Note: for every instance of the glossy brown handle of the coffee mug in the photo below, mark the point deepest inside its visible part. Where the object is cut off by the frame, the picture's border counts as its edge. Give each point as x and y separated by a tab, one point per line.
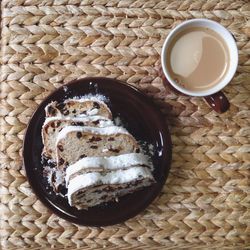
218	102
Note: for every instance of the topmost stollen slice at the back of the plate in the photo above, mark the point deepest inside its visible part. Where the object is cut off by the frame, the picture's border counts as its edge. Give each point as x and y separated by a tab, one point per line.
78	107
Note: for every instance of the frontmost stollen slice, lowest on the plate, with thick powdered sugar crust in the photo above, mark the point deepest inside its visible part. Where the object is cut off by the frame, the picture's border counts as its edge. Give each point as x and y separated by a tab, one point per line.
91	189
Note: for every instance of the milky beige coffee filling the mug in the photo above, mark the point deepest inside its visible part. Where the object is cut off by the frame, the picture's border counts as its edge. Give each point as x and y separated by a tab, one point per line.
198	58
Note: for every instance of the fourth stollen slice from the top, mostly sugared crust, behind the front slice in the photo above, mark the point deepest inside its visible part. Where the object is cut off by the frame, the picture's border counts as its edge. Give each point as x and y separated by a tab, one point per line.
106	164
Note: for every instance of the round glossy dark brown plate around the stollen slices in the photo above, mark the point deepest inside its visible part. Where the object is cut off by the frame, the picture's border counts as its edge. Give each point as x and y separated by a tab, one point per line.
143	121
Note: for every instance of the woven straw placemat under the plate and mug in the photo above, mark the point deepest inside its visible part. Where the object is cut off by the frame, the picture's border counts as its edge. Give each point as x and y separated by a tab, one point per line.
206	200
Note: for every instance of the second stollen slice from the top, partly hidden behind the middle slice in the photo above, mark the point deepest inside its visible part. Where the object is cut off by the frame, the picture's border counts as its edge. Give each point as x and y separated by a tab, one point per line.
53	125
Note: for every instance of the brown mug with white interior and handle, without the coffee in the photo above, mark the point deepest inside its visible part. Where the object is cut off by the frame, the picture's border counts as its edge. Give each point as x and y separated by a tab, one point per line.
214	96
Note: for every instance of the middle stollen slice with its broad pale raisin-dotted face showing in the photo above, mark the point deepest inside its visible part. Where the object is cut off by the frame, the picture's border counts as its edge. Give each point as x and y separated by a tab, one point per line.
74	143
